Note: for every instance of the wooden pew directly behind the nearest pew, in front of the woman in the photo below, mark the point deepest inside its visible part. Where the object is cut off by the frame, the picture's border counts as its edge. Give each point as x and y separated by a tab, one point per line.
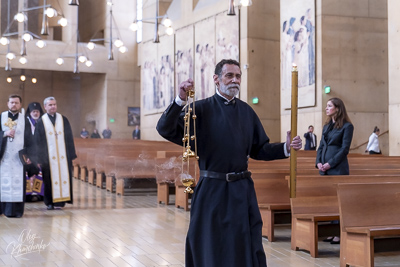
311	193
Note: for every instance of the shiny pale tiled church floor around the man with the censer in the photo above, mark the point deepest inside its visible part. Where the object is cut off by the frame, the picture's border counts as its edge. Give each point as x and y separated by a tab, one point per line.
102	229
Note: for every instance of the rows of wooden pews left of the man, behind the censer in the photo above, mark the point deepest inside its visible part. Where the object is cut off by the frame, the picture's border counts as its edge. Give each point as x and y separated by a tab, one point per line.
133	166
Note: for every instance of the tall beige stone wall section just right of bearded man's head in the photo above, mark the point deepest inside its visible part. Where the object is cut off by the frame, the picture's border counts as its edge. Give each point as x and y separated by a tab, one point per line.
260	50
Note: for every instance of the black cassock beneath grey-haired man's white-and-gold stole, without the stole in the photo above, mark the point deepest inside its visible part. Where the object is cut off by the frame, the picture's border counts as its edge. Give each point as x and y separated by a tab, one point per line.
43	157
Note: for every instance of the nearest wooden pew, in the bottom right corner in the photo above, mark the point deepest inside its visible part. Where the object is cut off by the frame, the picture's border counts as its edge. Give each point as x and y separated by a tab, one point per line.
367	211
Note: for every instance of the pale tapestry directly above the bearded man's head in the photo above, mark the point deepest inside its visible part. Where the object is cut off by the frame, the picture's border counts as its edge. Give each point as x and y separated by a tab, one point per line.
227	37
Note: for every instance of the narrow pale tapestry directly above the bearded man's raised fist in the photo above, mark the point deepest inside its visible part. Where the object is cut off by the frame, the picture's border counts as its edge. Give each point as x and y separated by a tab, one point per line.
184	55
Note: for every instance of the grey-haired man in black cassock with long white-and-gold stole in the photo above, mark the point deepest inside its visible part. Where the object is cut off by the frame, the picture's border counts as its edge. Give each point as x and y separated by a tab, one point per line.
55	151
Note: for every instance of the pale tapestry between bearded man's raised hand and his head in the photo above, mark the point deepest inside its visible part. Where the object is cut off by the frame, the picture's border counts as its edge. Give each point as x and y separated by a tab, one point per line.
204	58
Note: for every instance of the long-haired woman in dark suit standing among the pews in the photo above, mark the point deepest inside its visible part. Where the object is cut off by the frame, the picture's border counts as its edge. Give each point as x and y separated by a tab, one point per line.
335	145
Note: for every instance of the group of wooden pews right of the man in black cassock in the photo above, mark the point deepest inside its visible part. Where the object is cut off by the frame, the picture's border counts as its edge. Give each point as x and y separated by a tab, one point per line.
366	203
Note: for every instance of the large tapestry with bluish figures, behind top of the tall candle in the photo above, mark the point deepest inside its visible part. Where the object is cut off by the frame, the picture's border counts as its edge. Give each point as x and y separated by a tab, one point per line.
298	47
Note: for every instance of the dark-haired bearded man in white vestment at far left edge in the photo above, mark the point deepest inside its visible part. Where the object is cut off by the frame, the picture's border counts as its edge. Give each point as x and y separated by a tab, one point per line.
16	135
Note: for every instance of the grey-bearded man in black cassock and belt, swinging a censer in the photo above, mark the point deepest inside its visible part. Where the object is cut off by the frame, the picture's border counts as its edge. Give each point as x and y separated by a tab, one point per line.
225	223
